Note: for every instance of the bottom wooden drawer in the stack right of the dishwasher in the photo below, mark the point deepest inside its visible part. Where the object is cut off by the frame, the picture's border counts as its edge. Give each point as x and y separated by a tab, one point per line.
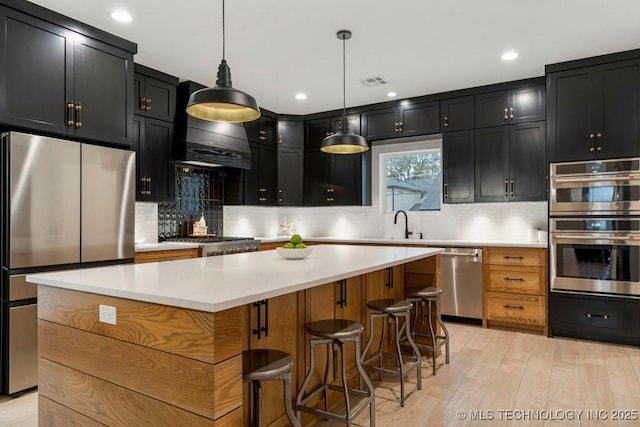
524	309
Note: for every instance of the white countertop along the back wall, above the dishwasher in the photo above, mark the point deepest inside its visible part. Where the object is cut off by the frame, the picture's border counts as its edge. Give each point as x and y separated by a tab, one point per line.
392	241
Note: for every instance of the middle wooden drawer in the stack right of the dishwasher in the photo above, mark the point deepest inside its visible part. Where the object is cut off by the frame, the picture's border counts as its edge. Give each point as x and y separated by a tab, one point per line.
525	280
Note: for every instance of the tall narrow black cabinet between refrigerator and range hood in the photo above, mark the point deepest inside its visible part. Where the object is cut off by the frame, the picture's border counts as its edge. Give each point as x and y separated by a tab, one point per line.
153	137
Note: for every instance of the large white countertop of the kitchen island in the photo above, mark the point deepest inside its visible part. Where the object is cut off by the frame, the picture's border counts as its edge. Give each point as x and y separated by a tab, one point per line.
217	283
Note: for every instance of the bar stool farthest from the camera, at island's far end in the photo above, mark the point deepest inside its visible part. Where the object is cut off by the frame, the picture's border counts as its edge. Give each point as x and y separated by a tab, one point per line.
427	296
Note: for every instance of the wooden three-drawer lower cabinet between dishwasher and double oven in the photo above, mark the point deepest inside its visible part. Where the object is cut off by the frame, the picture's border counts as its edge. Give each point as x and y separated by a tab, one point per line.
515	288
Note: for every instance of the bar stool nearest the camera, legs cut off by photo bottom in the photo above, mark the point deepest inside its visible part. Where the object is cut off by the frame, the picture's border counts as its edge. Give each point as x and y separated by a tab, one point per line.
266	365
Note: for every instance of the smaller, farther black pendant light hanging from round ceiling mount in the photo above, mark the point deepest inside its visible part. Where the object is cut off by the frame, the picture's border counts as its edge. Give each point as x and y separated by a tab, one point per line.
344	142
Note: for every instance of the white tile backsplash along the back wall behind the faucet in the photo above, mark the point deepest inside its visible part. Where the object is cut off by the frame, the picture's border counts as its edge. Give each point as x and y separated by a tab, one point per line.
475	221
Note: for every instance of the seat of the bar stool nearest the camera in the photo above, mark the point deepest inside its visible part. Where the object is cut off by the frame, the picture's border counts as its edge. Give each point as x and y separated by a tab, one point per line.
265	364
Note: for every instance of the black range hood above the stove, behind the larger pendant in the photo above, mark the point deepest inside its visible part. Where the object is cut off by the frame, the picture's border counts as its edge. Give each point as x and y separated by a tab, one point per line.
208	144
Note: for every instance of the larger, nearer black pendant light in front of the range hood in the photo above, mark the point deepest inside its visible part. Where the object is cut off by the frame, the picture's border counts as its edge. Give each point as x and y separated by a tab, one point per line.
223	103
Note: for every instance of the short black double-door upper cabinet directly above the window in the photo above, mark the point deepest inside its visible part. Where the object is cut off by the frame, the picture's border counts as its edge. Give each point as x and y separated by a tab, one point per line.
408	119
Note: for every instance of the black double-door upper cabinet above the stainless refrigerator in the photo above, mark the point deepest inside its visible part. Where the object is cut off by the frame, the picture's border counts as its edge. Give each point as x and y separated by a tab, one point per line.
59	80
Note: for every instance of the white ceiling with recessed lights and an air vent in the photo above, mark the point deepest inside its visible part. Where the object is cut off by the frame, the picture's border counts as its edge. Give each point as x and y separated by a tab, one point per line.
276	48
